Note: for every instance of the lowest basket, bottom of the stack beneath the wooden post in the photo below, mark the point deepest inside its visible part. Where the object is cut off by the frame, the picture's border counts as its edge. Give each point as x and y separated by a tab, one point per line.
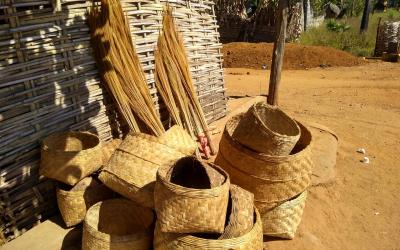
283	220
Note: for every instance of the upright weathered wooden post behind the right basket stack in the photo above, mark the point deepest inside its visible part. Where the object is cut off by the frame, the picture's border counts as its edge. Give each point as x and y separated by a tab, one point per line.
279	48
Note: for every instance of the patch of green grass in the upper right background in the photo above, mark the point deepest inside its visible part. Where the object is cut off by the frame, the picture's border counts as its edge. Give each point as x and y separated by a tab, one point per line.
345	35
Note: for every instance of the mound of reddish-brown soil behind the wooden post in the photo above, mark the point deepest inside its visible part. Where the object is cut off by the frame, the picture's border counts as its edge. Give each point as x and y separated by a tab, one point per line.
297	56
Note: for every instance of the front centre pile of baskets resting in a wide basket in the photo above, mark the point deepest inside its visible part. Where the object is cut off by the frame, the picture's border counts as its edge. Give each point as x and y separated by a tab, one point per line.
197	208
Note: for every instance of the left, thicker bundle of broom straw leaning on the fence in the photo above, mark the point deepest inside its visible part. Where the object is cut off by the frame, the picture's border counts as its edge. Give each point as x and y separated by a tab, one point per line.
120	66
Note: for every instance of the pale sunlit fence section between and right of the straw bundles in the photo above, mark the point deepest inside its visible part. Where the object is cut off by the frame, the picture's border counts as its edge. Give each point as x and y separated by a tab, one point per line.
197	23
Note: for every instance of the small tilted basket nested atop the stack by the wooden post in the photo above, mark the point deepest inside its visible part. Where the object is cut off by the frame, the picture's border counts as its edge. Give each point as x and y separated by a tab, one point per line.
267	129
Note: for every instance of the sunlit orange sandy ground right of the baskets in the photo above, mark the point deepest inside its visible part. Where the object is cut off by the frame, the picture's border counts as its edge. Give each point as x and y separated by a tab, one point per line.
360	210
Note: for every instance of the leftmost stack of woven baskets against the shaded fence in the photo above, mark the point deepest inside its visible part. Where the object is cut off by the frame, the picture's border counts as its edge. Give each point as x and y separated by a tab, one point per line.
72	158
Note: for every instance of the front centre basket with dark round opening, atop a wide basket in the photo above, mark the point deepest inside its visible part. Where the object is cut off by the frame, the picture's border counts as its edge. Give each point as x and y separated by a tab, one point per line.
191	197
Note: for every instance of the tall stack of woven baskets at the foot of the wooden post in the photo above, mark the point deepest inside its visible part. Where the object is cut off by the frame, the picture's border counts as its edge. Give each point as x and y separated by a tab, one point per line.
269	154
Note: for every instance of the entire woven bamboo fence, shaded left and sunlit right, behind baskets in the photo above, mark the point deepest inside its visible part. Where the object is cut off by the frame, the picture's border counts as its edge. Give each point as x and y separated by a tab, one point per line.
50	83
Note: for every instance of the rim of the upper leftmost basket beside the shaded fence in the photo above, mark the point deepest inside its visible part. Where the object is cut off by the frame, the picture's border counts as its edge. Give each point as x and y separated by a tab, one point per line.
46	144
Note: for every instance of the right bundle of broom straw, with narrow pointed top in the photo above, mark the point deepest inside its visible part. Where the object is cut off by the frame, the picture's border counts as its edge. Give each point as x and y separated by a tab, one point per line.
174	81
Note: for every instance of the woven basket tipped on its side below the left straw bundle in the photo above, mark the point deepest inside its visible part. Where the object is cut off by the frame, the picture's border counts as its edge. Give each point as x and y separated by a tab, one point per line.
132	168
